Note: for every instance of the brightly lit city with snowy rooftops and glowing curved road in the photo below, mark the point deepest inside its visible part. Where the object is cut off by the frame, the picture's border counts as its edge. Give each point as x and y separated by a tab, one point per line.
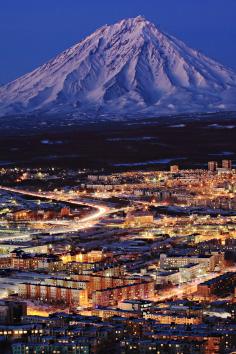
129	261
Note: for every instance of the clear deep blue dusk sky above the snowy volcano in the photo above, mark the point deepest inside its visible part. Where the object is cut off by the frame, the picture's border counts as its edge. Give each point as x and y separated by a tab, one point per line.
34	31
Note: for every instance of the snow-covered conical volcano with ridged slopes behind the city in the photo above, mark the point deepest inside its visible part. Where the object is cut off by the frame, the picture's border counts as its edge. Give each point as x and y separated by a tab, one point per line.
129	67
